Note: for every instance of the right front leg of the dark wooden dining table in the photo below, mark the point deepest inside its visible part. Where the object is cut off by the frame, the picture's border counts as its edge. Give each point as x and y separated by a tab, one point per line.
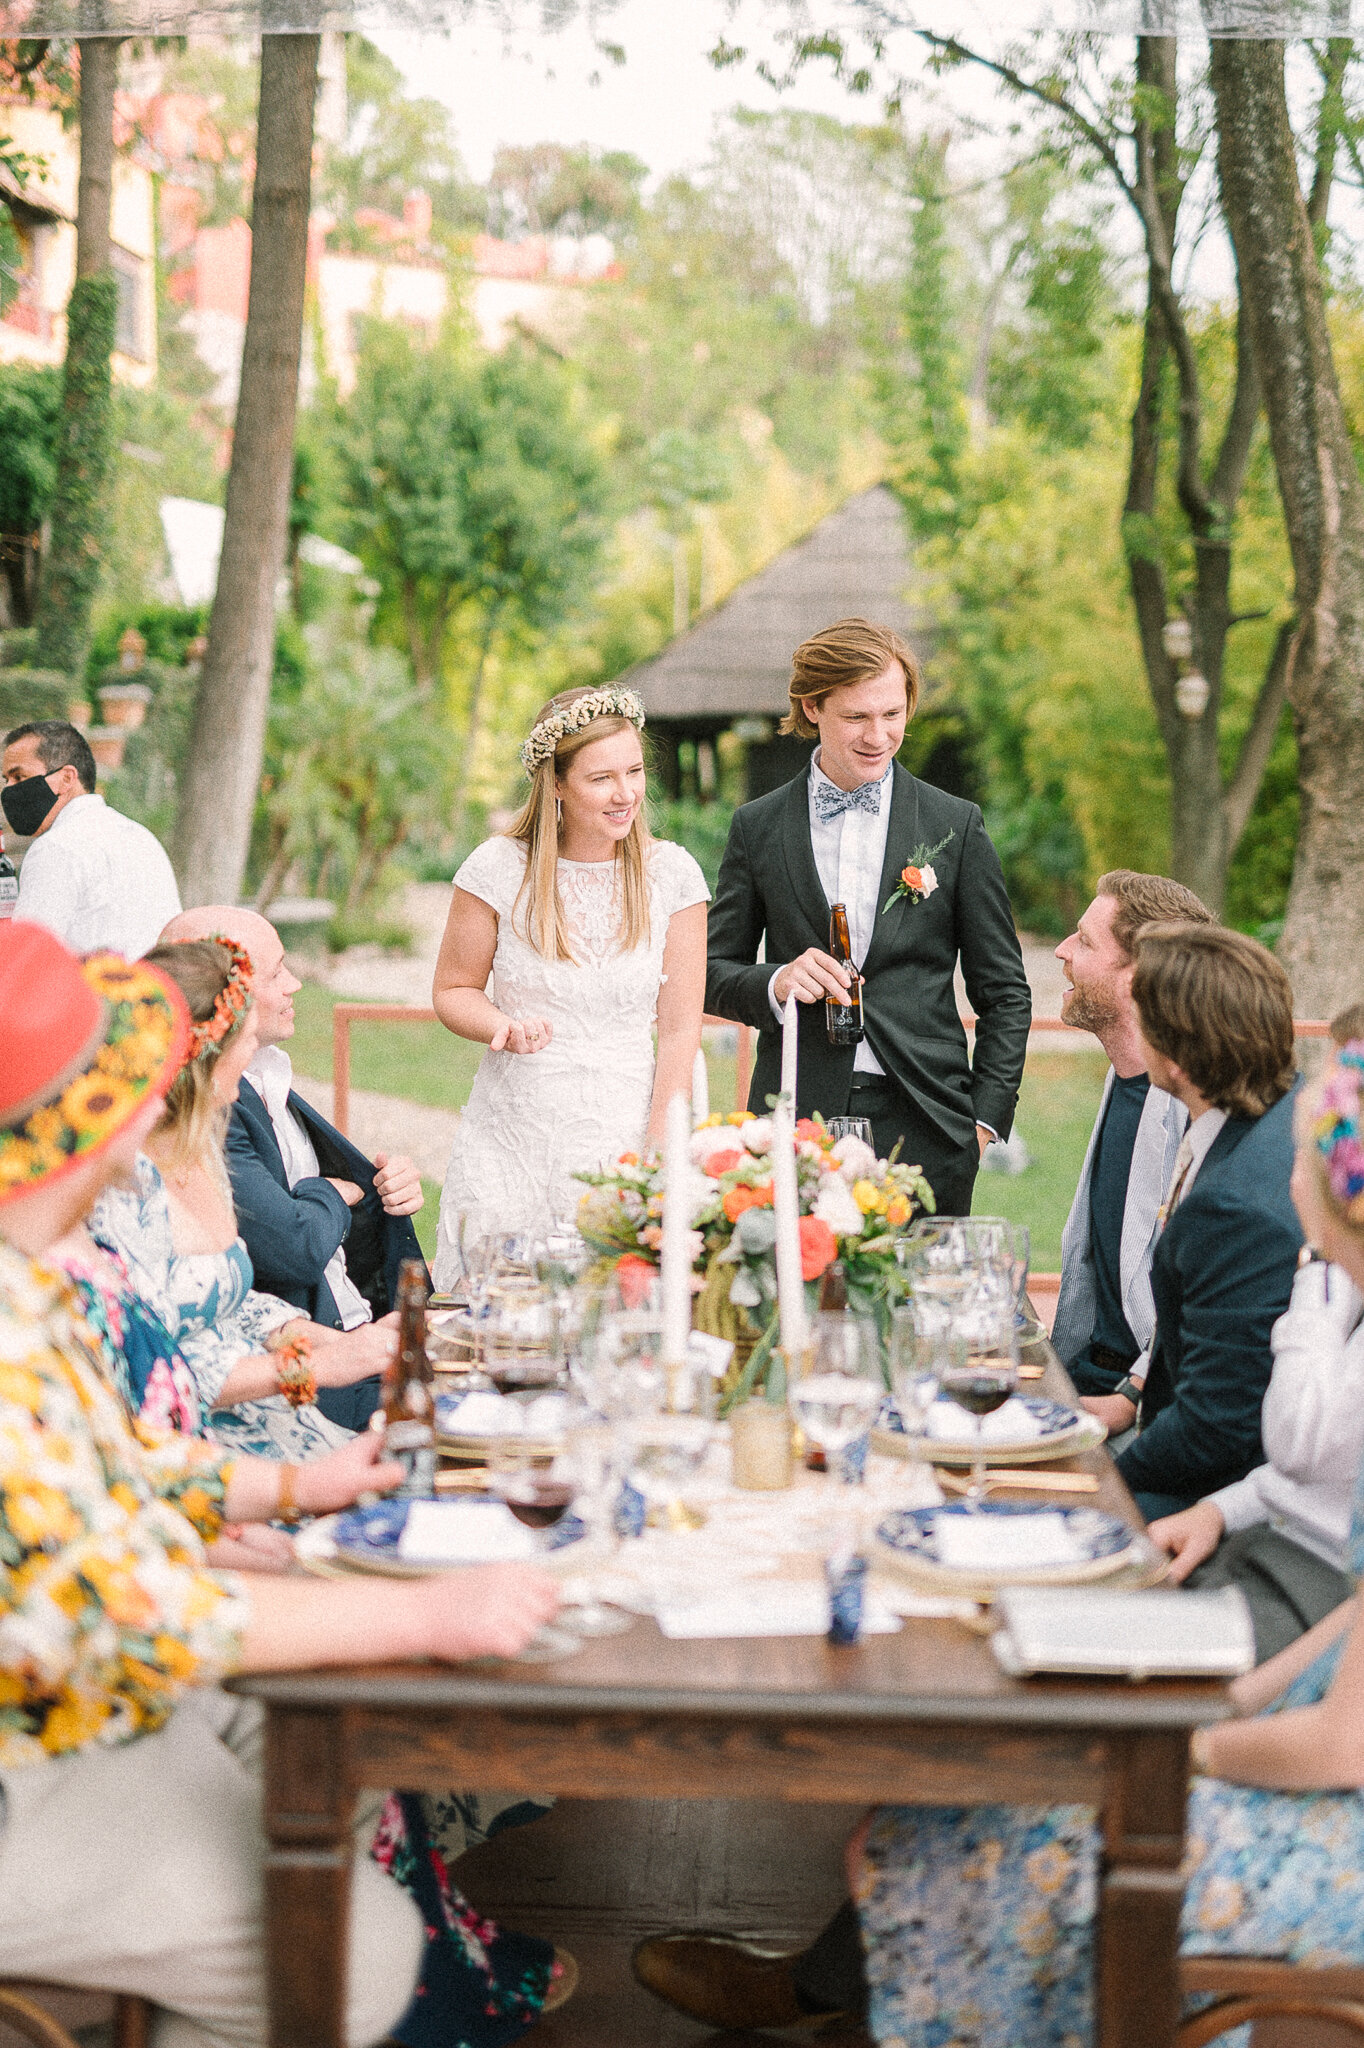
1138	1938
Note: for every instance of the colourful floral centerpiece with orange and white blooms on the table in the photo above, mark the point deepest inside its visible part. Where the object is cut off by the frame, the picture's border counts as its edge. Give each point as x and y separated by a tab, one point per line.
853	1209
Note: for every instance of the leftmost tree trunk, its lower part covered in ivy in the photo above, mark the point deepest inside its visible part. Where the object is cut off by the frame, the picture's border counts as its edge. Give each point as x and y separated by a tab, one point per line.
85	447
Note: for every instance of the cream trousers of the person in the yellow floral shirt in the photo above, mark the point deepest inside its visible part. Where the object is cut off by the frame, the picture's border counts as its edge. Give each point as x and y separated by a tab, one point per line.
138	1869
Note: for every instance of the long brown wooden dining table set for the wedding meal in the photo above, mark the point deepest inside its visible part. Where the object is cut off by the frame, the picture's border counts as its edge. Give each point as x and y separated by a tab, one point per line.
925	1717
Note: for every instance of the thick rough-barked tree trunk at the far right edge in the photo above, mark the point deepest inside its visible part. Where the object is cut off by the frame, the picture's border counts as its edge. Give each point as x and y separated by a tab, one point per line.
1324	511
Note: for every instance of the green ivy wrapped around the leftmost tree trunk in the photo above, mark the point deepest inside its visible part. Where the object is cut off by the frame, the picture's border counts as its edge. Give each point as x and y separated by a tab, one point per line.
81	497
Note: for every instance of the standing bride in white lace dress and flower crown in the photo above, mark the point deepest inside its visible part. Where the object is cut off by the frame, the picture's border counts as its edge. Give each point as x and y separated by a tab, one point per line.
593	935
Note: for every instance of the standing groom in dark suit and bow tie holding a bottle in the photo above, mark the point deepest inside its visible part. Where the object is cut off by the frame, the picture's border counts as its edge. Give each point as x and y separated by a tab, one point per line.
923	886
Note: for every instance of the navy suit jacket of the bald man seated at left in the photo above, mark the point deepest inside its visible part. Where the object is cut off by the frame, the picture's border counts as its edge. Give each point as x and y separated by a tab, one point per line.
294	1232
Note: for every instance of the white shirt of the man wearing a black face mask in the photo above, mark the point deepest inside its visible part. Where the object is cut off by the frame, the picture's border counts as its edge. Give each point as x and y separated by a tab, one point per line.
99	882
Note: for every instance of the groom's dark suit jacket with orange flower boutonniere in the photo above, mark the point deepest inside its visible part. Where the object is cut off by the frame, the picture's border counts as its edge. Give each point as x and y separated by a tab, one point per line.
769	884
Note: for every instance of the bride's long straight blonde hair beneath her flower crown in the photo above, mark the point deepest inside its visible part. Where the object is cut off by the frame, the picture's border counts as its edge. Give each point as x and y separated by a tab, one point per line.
538	912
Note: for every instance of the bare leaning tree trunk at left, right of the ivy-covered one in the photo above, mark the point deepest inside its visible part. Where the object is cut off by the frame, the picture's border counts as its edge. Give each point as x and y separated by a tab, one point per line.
218	790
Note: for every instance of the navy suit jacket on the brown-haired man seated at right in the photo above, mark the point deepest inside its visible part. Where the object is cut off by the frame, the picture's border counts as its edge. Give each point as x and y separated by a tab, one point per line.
1222	1277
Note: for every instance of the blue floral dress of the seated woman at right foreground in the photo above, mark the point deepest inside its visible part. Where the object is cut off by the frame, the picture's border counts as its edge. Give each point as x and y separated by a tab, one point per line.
980	1922
